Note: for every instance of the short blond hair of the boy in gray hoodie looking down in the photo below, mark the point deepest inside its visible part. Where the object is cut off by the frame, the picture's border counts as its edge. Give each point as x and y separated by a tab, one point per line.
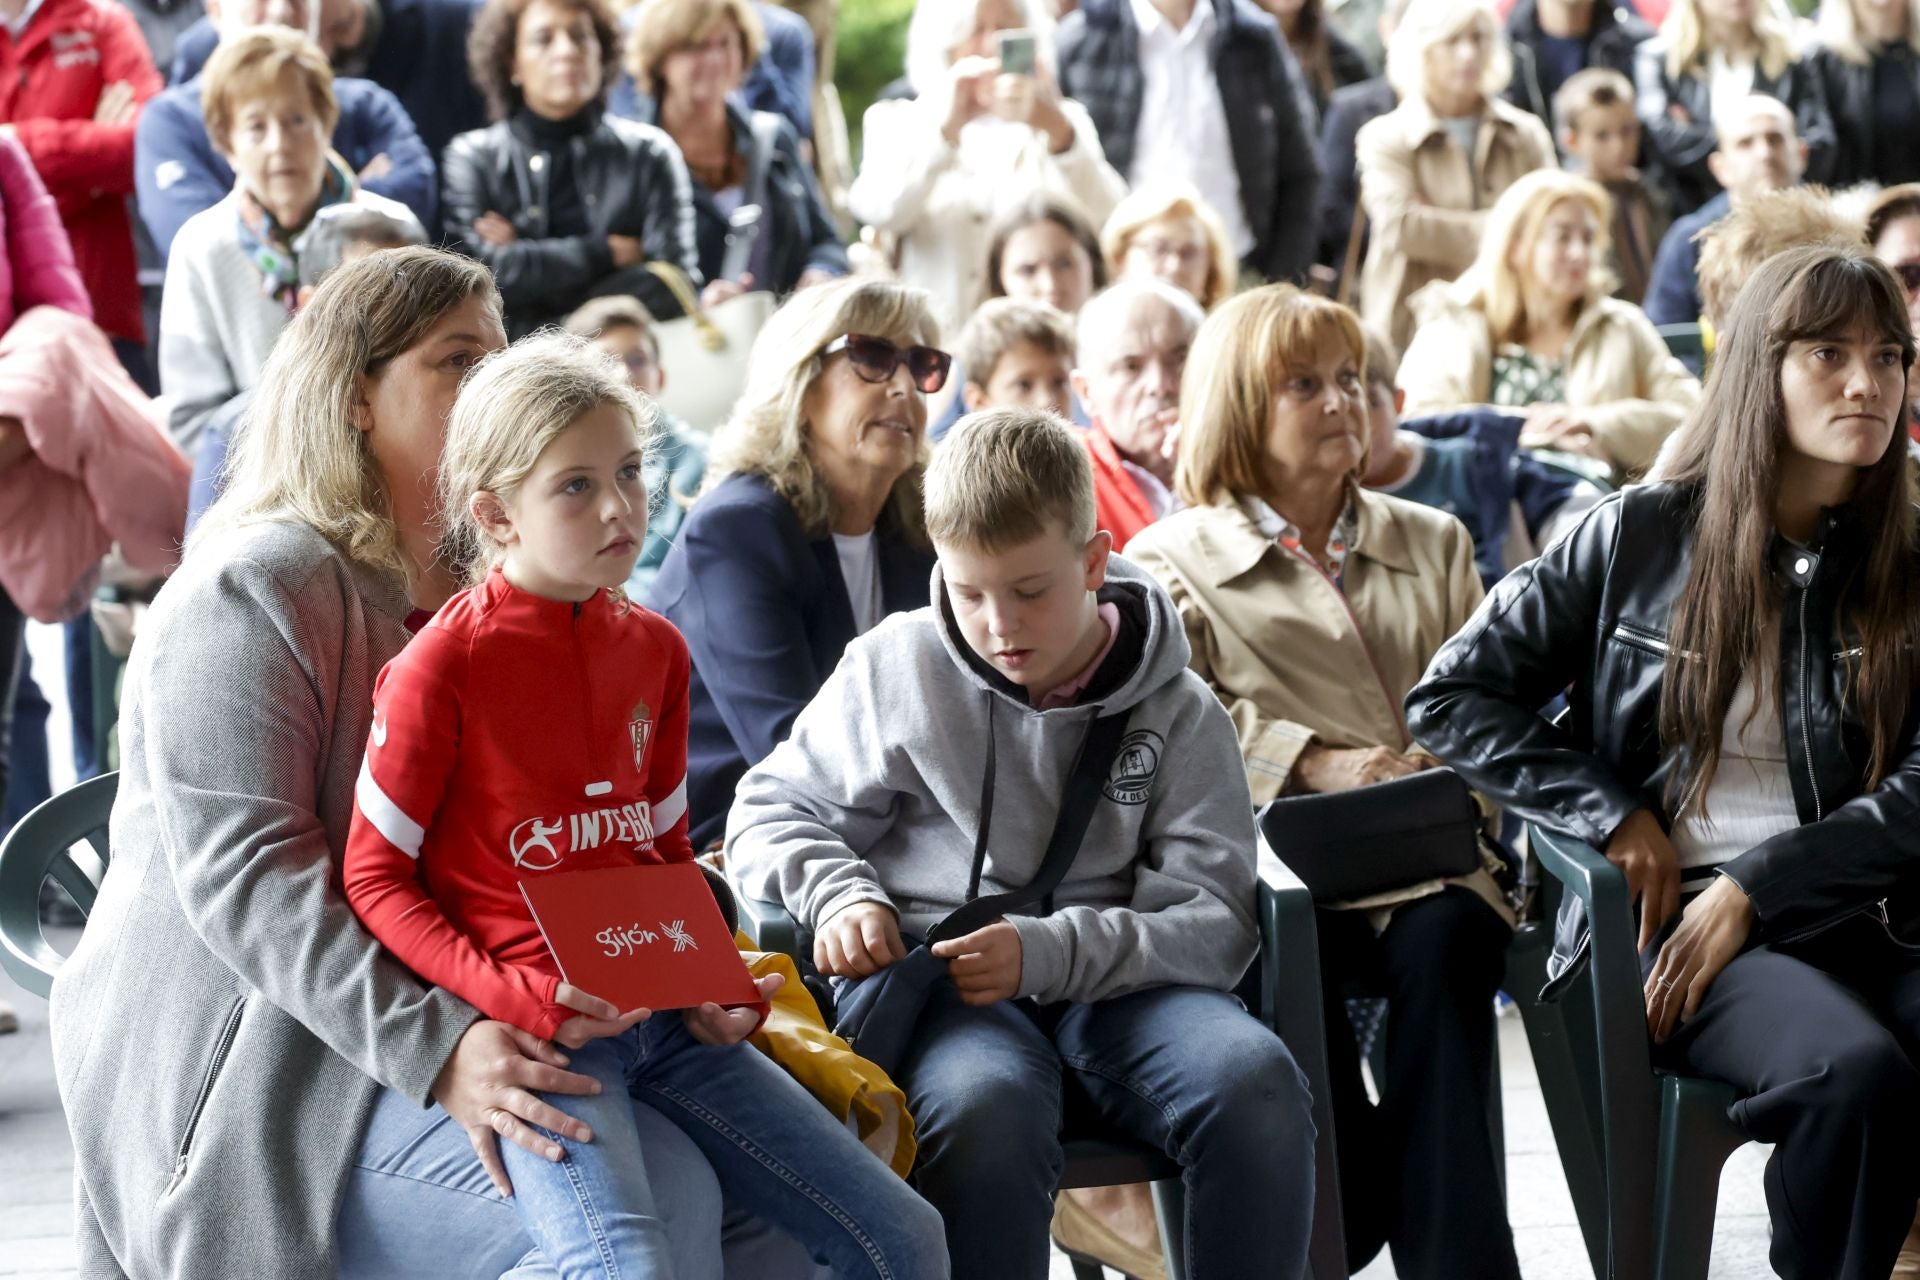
1003	475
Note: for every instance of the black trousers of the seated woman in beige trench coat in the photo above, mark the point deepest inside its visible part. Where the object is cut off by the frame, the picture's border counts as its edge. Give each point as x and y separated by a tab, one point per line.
1420	1172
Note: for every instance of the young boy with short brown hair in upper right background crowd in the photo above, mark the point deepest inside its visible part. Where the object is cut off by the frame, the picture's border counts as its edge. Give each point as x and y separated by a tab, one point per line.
1600	137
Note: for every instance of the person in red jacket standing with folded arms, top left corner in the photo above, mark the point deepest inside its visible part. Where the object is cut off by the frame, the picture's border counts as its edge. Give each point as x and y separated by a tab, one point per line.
74	76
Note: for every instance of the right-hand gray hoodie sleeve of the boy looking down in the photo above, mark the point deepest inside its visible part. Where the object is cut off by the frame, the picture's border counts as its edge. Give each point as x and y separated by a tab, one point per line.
1191	918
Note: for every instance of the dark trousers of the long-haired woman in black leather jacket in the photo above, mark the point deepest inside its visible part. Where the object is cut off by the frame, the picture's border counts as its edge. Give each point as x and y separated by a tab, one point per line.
1819	1039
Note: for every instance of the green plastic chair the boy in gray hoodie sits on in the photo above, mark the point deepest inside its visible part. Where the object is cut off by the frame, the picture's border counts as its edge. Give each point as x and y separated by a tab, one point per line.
1289	1003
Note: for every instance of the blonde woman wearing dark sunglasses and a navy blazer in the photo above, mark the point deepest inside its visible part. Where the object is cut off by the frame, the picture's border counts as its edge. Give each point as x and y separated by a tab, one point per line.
809	531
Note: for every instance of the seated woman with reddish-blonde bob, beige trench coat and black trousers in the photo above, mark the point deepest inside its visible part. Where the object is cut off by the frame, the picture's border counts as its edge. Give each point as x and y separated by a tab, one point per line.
1312	607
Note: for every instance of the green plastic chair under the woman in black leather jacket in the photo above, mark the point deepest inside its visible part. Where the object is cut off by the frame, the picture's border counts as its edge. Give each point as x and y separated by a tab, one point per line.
1643	1149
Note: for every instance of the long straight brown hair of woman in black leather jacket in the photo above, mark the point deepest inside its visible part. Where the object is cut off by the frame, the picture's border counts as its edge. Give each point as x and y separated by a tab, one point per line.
1729	454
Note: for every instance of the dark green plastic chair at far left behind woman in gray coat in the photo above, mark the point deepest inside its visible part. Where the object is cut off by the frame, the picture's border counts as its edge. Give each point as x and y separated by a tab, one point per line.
51	841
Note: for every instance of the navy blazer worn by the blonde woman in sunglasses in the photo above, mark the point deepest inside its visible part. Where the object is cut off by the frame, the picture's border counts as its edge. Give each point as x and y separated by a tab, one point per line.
767	619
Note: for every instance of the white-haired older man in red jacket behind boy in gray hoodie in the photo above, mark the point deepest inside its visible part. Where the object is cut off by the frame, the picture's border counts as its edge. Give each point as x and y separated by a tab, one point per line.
1132	352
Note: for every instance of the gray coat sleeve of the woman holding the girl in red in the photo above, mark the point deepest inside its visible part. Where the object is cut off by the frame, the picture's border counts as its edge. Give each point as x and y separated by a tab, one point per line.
235	765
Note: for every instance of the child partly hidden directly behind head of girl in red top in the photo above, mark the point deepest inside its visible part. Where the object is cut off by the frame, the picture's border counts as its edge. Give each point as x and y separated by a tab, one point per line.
677	463
